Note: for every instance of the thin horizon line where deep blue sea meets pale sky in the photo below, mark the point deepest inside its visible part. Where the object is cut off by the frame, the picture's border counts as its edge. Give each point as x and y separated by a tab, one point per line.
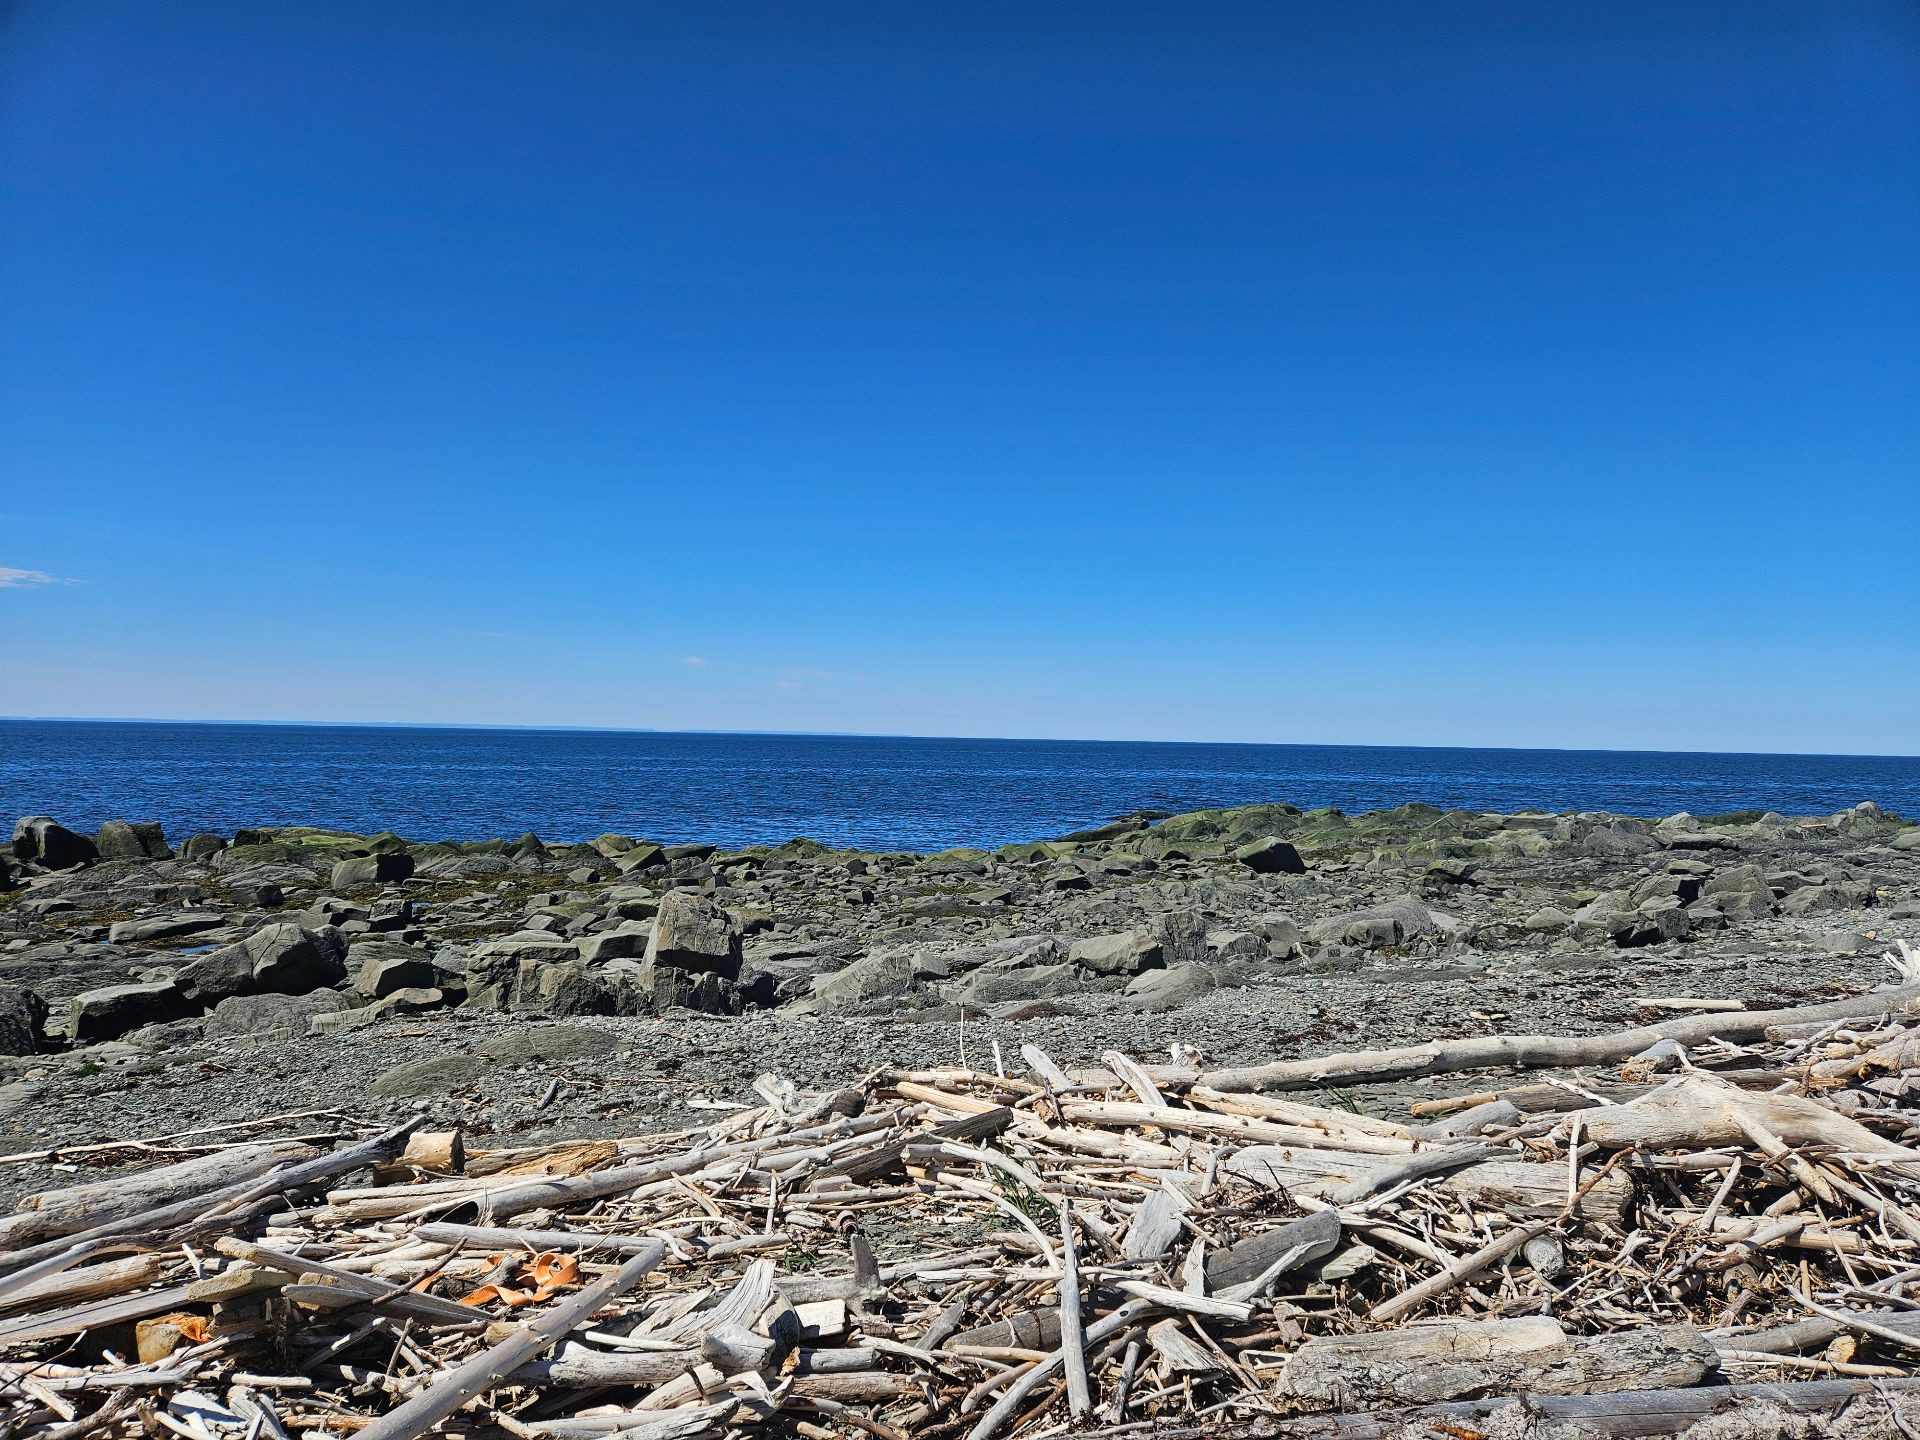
861	734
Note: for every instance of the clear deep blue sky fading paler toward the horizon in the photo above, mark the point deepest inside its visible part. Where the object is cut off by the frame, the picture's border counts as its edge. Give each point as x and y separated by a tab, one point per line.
1391	373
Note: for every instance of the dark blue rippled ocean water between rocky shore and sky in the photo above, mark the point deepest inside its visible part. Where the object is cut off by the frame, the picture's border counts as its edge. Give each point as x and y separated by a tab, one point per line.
846	790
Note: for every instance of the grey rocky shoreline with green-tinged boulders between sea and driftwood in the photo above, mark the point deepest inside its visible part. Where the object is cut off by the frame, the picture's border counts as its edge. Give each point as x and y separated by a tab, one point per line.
546	990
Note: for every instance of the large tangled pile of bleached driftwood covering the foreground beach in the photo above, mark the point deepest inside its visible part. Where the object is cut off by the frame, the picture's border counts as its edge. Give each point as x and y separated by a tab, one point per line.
1729	1209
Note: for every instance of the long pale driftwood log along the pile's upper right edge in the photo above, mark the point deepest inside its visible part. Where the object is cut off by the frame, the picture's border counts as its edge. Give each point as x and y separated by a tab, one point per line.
1541	1051
